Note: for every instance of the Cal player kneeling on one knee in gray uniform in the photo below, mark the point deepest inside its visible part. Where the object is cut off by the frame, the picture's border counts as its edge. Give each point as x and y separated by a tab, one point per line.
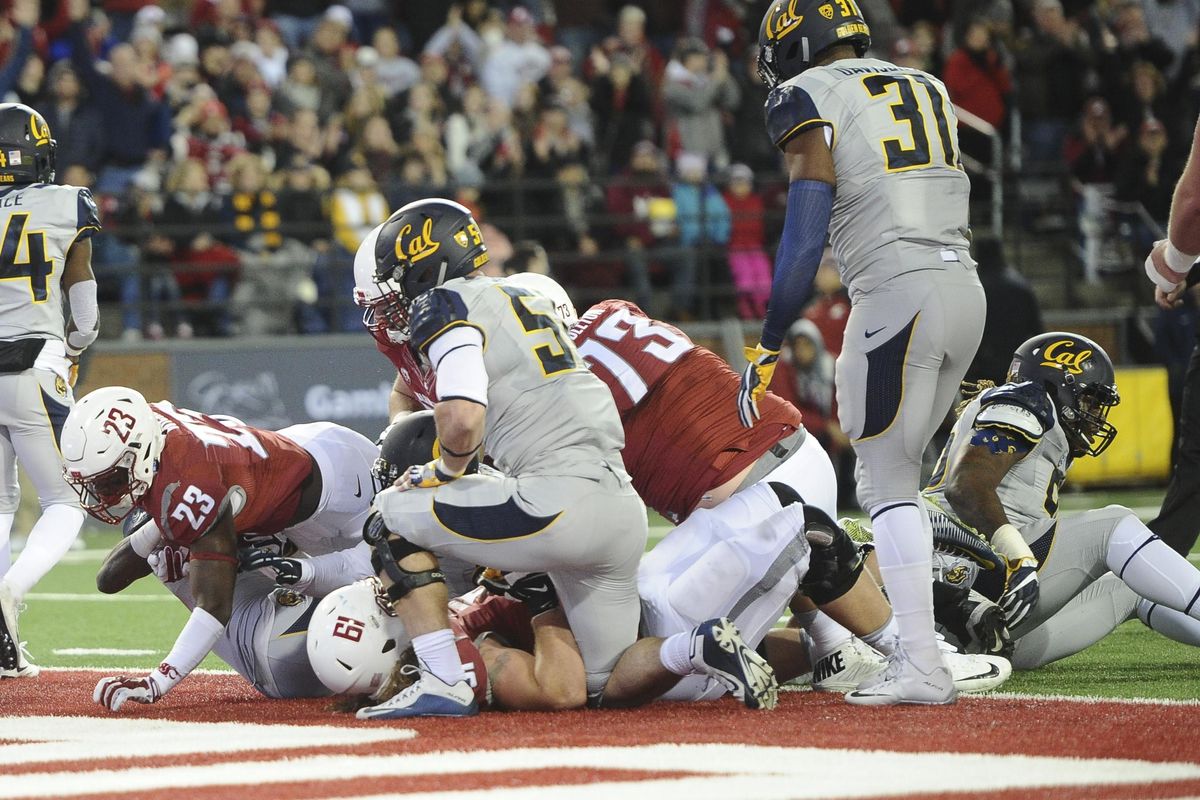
561	503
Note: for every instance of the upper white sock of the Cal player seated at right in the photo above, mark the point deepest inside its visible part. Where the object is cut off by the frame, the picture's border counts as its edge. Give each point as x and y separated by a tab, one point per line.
1153	569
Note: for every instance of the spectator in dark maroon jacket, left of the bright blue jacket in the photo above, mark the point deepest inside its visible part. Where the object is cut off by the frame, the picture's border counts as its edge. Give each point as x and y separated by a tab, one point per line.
645	220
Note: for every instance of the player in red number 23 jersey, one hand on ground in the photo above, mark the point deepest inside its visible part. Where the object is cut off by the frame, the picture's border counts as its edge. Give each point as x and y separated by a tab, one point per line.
212	483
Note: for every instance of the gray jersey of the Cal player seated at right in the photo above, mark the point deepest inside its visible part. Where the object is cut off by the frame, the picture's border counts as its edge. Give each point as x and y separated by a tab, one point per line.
1030	490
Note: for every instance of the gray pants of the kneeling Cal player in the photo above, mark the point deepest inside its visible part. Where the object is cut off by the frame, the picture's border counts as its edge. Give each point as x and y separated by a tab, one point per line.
587	533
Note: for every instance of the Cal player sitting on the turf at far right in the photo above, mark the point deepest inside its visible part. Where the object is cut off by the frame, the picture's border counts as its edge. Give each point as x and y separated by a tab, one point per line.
1069	580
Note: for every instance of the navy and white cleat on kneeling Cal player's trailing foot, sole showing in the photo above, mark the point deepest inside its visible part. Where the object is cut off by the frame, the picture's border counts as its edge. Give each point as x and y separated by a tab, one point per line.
718	652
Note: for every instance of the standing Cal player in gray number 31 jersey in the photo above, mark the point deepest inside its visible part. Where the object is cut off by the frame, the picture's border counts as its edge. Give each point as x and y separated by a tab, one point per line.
872	154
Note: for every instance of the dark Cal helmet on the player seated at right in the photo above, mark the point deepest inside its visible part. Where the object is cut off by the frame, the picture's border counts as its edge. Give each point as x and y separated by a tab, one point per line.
1078	375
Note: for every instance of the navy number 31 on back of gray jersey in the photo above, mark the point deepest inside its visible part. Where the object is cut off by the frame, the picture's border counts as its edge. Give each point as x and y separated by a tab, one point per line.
908	111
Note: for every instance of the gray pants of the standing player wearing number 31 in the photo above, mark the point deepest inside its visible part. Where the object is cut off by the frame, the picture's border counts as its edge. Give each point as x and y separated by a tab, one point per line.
908	346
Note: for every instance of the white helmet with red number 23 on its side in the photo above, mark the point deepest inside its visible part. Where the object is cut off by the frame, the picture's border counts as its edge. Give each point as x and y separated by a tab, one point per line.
111	447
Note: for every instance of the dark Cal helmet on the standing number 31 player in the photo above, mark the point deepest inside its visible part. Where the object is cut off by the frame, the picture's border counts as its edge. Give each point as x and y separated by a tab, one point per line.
795	34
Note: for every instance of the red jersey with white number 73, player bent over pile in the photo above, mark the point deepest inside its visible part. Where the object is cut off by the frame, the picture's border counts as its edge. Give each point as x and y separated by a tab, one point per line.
677	402
